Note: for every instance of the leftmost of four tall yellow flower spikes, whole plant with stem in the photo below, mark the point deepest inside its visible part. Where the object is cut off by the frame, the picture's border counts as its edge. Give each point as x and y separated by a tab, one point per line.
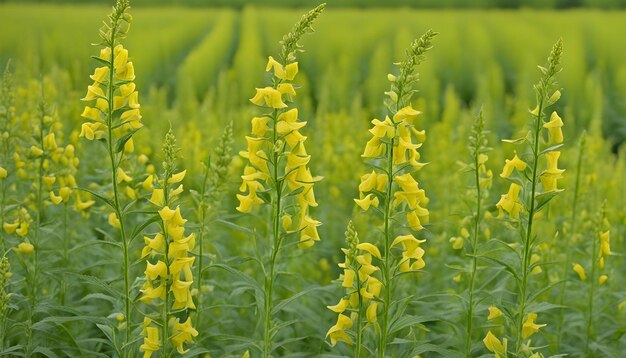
113	116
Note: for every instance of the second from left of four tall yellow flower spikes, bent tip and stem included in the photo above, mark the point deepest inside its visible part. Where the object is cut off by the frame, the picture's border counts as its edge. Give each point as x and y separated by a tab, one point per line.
277	169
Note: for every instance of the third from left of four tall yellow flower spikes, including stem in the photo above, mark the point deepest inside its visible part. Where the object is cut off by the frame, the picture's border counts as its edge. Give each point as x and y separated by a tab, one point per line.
394	157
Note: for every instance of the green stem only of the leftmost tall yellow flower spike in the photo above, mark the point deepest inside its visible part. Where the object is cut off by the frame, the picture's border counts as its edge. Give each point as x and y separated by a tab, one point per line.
116	198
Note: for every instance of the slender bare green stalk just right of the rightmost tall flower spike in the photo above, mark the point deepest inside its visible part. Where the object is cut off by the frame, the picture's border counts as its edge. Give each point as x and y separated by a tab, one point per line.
572	232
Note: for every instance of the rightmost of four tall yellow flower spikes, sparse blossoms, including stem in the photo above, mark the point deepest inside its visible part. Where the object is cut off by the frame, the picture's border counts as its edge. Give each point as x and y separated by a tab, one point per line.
531	190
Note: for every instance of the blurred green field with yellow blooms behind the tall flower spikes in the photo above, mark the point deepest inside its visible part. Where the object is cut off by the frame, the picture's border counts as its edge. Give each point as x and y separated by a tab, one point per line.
197	68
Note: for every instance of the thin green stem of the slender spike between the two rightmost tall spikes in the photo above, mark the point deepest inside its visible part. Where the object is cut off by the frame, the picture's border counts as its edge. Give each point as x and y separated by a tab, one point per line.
470	312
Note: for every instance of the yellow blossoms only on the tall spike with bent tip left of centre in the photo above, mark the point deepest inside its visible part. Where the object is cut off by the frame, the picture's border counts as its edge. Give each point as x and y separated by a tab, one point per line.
276	154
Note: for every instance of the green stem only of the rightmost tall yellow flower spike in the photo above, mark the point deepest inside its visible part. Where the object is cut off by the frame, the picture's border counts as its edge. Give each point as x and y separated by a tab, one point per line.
527	240
